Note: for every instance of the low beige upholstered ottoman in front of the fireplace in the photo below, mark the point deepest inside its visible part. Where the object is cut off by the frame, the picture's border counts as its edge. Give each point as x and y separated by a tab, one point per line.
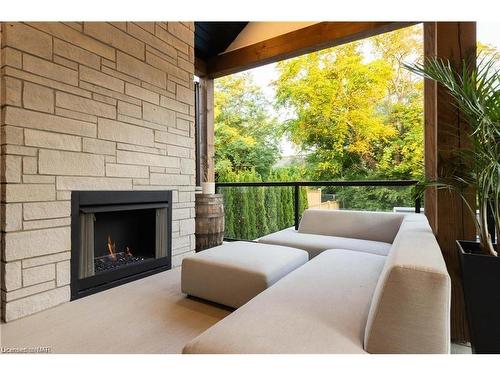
235	272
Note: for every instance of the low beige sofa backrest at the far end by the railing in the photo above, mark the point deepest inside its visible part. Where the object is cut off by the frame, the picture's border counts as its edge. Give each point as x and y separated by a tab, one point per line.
363	225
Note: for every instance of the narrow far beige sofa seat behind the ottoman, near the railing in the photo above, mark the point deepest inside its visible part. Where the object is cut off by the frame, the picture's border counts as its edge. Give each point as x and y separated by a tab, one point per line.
316	243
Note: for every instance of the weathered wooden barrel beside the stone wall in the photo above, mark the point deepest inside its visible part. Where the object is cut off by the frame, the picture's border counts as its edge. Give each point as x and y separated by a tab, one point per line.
209	220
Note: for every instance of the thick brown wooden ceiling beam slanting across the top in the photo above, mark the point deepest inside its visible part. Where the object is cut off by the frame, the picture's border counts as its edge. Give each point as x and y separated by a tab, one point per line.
308	39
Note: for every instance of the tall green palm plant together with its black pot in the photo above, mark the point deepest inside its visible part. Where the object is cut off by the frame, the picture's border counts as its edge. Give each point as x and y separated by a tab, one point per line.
475	92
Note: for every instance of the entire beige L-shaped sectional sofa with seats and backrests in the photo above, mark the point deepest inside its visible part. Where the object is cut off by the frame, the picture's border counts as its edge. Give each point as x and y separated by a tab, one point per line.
356	299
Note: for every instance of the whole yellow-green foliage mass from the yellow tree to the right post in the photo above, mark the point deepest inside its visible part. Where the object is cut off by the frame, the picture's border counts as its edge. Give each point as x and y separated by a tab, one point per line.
356	118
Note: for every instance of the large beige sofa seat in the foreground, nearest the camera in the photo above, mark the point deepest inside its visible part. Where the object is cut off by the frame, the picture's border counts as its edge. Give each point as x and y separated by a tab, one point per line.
321	307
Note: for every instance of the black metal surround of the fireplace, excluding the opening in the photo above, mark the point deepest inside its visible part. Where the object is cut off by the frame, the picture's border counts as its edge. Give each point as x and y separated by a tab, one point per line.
126	199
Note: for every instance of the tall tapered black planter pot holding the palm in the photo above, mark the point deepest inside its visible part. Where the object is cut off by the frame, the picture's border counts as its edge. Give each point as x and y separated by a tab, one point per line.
481	278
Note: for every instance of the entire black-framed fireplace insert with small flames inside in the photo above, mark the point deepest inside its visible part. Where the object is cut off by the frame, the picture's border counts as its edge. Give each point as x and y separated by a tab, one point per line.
117	237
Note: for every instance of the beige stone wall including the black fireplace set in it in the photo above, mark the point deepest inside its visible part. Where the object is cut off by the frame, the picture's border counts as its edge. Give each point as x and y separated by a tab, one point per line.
92	107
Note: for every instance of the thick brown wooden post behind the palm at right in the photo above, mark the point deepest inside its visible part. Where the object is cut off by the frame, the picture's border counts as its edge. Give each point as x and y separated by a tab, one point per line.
444	134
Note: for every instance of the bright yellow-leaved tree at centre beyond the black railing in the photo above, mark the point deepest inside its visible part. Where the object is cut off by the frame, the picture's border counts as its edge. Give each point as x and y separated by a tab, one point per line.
333	96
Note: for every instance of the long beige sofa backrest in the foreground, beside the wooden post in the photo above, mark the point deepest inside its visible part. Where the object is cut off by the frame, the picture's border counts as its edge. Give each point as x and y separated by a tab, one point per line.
410	308
